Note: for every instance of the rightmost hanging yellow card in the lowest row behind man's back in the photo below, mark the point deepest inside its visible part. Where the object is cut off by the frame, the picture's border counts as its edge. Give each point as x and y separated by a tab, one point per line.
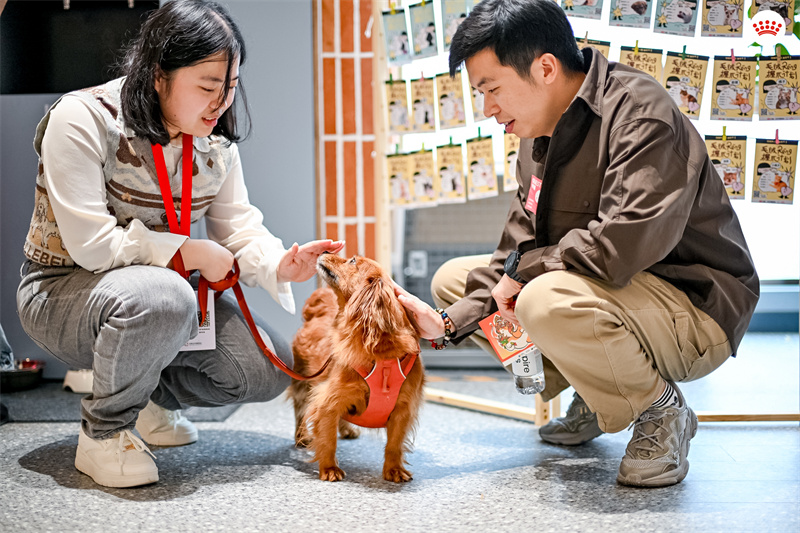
773	177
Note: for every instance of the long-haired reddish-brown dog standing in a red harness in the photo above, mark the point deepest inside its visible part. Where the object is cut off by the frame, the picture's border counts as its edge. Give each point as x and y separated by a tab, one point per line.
357	321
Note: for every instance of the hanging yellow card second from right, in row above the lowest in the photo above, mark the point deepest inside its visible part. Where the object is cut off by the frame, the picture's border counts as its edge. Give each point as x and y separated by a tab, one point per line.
734	88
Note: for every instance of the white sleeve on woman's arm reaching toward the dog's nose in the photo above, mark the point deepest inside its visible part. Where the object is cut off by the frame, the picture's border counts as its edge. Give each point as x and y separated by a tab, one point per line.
236	224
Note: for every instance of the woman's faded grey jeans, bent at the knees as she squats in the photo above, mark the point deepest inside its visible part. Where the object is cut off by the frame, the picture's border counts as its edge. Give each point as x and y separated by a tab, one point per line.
127	325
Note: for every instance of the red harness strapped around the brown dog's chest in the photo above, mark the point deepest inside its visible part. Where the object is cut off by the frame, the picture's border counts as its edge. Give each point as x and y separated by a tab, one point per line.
384	380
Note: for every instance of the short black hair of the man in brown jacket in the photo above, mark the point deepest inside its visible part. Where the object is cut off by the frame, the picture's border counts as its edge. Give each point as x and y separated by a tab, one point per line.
518	31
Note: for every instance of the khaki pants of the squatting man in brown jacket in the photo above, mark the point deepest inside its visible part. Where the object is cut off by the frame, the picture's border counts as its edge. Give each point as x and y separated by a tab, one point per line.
613	345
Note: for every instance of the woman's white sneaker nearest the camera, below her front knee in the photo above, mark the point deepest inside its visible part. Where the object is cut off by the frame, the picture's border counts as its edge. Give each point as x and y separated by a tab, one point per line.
121	461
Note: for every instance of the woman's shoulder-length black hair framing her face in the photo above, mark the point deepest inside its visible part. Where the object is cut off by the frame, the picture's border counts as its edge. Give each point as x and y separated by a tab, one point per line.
180	33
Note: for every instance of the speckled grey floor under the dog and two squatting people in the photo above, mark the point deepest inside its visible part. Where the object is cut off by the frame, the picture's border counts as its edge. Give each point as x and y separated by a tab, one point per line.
472	472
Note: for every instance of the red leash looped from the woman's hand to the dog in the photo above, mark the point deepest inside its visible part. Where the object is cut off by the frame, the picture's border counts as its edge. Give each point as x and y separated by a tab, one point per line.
232	281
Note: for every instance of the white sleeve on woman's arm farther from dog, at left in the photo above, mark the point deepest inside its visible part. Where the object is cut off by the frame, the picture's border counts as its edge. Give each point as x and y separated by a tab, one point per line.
73	154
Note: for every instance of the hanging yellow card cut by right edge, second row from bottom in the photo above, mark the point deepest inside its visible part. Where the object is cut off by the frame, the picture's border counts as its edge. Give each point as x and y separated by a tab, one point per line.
779	83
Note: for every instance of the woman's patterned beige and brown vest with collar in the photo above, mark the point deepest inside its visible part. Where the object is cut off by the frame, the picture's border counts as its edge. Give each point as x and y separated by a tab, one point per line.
132	190
